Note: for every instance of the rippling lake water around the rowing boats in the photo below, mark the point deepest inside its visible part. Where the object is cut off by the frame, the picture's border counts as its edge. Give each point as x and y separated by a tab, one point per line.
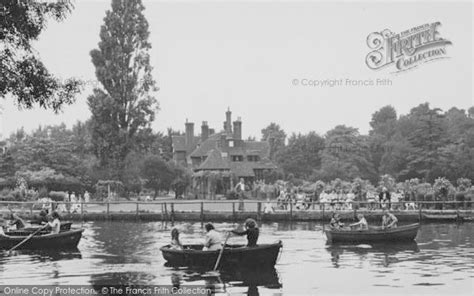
440	262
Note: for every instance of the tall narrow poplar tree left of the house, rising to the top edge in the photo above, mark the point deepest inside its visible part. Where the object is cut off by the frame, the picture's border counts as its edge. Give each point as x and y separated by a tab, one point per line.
123	108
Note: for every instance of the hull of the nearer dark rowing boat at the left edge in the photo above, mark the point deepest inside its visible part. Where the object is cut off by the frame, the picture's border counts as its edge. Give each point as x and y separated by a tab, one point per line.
63	240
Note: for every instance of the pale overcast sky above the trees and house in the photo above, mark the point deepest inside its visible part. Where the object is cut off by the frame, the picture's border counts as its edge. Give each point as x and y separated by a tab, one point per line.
208	56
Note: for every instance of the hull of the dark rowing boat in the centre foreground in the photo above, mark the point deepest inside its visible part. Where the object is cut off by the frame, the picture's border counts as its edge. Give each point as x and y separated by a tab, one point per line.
233	256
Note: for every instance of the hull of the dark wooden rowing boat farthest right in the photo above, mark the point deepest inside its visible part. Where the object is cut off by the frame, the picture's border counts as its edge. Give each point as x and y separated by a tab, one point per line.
374	235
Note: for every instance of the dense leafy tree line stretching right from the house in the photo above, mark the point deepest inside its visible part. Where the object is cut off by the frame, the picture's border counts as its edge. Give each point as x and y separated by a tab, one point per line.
426	143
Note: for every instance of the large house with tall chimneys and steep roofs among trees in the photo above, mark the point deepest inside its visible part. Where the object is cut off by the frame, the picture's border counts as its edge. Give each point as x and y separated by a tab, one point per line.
224	151
